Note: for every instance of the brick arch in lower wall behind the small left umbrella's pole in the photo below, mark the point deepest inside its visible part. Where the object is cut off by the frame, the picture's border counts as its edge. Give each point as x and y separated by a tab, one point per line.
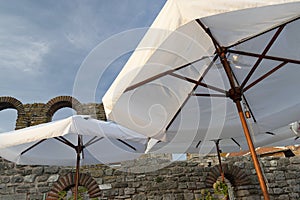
67	182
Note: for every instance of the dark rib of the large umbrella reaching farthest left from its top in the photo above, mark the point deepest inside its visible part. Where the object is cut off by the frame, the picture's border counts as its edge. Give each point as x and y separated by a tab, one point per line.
161	75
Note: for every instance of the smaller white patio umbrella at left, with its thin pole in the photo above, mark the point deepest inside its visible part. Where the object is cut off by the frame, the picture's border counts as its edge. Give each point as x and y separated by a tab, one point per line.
78	140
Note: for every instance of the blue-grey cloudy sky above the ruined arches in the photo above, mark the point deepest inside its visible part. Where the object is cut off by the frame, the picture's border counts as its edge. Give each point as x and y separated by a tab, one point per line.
45	46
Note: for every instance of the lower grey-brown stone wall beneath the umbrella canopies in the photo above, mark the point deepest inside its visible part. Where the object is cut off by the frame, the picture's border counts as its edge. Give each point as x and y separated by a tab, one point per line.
156	179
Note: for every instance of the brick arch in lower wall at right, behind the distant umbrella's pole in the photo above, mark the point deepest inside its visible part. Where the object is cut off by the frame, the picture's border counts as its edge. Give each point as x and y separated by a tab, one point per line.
235	175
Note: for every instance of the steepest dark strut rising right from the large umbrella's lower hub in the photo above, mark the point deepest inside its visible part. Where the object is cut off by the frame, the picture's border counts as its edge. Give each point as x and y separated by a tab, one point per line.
258	61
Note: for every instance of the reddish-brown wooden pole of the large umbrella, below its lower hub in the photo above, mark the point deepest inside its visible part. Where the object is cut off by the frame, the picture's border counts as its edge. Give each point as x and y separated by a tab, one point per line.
252	151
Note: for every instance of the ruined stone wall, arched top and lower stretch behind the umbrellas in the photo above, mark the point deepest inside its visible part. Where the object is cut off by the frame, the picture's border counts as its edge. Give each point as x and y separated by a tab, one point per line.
151	177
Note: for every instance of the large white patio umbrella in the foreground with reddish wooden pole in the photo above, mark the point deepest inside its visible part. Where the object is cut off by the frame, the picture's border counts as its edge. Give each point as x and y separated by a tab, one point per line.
203	63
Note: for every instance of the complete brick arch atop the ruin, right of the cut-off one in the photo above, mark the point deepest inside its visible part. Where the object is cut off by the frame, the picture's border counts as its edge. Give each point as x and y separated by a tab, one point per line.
62	102
